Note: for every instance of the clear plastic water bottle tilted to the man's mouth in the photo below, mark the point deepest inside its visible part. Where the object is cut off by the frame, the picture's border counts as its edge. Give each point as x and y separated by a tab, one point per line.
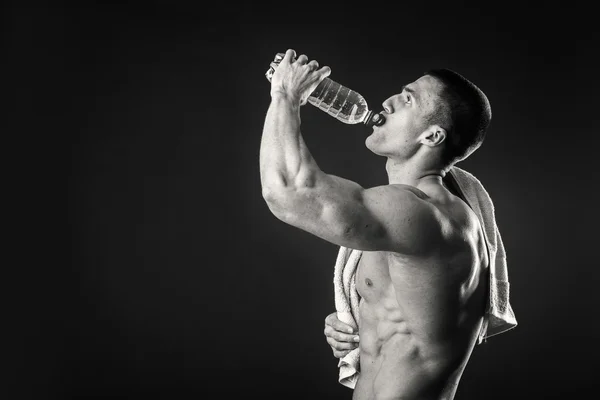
337	100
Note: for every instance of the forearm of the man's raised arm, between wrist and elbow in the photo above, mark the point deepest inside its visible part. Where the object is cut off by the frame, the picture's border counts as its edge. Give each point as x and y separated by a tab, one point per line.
285	161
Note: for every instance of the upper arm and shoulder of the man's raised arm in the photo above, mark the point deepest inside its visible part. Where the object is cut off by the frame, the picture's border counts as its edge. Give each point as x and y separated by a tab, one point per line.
383	218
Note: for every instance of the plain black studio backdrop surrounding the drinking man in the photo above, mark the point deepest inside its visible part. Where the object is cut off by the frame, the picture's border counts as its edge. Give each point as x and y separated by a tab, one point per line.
180	284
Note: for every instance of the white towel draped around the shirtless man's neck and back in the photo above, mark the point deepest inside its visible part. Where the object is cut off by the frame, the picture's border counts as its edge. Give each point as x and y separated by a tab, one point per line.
499	314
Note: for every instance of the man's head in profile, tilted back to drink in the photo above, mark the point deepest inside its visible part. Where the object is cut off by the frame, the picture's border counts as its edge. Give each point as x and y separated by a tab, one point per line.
441	111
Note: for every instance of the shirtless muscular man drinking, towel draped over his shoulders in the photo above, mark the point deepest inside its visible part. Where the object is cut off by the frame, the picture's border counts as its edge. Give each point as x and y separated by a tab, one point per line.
423	273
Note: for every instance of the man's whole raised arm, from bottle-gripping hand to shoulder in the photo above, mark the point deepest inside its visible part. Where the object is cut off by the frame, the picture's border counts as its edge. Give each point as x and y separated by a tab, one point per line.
389	218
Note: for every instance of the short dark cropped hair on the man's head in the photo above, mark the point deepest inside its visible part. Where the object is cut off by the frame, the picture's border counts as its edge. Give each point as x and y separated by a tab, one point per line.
464	112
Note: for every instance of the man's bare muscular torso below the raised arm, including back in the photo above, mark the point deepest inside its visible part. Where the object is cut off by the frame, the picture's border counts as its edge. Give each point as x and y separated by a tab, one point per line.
420	314
